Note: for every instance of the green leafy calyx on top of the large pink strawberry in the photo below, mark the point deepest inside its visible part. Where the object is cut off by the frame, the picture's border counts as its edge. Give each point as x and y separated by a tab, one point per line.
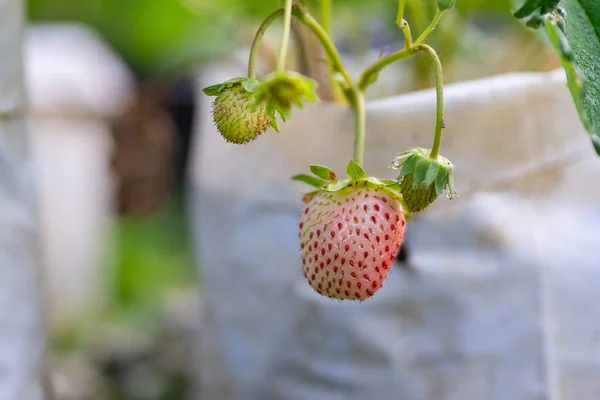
323	178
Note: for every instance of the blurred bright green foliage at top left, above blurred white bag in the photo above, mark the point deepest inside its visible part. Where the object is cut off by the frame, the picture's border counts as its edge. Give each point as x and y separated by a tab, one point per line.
159	37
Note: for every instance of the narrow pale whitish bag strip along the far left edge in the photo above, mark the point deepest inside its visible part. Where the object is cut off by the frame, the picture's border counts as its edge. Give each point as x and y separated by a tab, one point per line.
21	327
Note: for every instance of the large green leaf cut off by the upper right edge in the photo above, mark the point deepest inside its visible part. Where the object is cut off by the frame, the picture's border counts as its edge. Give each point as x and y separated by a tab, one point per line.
583	33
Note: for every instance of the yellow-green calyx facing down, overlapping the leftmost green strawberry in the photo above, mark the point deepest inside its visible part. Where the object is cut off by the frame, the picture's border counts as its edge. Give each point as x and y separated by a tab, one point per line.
280	91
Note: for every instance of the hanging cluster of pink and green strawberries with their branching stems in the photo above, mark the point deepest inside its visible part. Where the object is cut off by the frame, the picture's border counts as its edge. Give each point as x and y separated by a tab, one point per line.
350	229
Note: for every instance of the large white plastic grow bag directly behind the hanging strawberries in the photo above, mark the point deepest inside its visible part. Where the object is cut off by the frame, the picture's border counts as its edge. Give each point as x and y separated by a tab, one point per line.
500	302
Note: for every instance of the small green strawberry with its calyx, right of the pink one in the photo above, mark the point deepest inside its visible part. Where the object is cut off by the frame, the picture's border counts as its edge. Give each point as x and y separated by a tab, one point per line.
422	179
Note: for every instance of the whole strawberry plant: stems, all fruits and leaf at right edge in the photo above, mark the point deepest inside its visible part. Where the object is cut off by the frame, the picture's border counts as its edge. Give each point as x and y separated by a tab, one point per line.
351	229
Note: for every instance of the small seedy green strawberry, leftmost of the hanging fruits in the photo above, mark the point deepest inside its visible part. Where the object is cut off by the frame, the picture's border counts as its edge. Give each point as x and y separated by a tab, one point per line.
236	115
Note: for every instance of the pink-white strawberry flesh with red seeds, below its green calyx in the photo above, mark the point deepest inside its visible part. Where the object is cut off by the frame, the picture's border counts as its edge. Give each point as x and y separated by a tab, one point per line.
349	240
